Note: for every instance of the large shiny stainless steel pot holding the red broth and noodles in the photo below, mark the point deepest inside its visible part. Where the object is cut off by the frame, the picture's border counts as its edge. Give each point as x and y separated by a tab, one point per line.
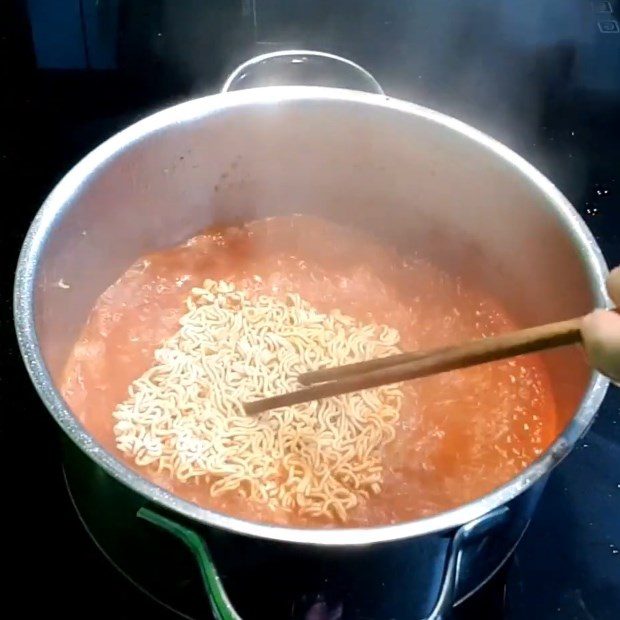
422	180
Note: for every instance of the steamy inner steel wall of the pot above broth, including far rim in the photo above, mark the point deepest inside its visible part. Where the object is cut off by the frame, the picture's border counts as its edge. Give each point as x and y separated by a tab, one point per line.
420	180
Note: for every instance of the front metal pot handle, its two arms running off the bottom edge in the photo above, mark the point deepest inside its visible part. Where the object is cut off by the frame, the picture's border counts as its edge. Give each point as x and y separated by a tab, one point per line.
223	609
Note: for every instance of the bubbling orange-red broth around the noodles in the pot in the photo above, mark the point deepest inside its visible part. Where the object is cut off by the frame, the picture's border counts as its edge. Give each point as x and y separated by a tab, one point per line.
460	434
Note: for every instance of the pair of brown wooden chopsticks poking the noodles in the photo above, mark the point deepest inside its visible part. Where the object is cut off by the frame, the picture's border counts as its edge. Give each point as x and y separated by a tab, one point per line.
406	366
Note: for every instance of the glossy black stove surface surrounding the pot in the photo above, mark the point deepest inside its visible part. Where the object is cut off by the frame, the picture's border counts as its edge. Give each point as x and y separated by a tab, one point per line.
543	76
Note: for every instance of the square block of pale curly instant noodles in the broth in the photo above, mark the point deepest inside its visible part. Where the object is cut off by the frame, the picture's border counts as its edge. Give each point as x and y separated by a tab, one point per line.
184	415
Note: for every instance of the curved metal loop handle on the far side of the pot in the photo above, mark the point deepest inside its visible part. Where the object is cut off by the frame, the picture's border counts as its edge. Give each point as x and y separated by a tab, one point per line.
305	58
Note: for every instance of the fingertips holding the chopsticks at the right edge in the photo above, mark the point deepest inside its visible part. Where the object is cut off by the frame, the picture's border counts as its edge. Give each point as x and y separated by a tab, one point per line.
601	334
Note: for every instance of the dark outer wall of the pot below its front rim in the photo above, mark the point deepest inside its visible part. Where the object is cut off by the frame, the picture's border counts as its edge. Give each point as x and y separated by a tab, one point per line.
398	579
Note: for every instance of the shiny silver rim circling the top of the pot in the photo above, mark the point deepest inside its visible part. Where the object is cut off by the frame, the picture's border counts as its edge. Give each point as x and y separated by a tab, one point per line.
59	199
